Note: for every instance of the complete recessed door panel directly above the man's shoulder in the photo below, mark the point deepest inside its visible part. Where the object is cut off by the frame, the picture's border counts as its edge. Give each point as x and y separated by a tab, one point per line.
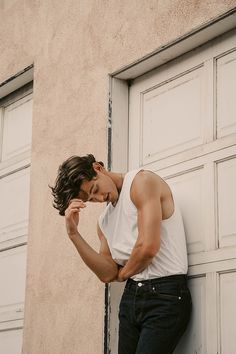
177	107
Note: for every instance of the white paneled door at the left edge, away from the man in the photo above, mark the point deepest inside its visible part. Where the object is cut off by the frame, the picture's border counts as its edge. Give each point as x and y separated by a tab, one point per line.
15	147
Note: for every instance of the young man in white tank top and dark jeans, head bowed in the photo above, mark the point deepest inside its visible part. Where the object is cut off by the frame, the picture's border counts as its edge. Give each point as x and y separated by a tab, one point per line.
142	241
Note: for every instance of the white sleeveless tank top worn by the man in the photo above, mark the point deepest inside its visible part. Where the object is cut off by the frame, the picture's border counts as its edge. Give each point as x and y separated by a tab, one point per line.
119	225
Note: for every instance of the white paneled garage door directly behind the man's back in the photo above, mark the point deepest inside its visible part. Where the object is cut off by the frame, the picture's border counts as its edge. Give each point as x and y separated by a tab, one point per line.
182	125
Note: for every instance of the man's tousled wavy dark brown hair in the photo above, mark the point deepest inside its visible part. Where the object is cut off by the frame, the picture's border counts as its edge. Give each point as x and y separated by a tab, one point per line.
70	176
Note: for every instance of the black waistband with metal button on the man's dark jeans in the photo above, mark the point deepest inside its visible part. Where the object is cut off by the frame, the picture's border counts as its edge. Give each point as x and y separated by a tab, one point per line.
176	278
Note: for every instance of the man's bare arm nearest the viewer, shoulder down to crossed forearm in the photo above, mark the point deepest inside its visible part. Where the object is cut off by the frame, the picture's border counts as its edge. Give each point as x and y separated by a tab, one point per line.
146	195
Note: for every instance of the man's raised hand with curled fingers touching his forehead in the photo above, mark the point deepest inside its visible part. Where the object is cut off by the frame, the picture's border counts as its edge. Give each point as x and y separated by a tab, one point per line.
72	216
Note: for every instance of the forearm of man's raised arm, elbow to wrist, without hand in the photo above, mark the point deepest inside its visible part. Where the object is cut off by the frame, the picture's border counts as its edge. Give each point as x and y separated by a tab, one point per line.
105	269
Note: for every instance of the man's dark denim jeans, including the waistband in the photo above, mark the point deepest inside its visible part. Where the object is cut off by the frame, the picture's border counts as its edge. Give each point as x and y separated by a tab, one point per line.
153	315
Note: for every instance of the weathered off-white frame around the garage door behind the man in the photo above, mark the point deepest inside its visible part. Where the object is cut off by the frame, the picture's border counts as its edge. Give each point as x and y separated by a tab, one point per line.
118	112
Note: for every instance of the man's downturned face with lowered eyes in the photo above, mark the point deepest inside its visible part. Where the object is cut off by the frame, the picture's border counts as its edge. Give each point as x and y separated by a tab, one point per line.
100	189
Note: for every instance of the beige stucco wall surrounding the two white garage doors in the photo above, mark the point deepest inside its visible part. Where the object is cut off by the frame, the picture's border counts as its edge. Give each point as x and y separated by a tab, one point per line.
73	45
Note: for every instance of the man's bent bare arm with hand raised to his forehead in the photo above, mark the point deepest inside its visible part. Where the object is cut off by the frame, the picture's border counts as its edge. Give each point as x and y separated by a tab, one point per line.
100	263
